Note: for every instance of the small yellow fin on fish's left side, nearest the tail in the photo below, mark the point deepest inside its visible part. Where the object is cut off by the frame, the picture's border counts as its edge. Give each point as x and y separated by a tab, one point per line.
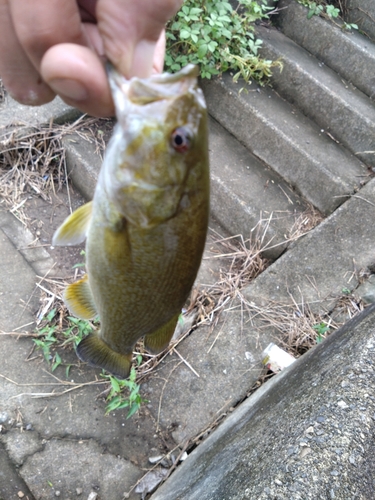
79	300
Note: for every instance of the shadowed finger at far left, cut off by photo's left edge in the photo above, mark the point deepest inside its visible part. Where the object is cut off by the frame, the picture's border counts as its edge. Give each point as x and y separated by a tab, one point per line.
19	76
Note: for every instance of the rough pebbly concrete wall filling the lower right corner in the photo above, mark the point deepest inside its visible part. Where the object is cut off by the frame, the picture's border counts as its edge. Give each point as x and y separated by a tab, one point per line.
306	434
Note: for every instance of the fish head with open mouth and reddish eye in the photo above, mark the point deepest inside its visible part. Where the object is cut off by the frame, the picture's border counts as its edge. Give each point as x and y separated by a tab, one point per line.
159	142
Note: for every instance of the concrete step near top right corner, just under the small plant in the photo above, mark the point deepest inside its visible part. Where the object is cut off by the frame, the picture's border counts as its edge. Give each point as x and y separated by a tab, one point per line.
350	54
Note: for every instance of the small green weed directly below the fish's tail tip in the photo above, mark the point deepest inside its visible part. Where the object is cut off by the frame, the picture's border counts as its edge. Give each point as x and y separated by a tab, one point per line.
116	398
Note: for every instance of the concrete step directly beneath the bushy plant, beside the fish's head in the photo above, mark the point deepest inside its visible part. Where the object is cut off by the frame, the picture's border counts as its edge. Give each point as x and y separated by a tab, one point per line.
283	138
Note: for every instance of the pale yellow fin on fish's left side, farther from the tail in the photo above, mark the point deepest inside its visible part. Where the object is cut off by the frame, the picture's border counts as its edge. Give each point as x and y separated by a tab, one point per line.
74	229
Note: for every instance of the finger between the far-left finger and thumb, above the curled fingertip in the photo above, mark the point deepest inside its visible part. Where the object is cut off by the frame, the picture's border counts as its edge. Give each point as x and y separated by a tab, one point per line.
43	23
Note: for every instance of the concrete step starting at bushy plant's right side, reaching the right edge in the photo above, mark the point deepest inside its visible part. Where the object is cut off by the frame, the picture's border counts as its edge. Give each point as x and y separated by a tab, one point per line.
335	105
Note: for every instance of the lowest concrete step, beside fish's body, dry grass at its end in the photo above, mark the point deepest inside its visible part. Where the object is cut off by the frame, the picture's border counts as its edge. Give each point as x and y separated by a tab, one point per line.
249	198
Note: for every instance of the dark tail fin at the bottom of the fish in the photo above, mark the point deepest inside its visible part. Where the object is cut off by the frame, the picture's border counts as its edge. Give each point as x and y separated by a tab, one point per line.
94	351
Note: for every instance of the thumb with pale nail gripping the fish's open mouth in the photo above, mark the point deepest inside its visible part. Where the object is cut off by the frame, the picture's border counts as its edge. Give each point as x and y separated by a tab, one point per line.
130	30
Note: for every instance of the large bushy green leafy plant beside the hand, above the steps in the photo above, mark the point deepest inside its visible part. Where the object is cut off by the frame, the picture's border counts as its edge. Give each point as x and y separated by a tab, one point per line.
218	38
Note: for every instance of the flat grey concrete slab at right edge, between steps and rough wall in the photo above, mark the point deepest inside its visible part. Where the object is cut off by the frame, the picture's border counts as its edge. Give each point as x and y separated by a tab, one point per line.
332	257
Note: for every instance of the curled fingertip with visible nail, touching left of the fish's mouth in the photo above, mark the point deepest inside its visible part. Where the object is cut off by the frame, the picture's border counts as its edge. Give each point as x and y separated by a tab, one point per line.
78	76
